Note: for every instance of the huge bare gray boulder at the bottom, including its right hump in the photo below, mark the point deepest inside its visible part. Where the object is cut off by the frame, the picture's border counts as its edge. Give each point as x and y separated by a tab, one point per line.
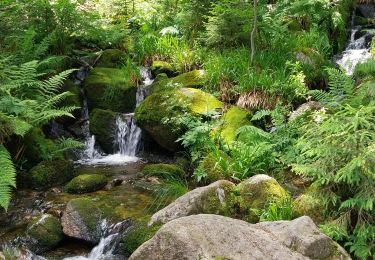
218	237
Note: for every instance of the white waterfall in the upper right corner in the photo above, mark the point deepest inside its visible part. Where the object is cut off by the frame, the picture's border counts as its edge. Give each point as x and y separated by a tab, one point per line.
357	50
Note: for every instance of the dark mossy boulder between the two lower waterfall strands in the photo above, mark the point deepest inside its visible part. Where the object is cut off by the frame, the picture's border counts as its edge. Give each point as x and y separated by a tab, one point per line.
102	125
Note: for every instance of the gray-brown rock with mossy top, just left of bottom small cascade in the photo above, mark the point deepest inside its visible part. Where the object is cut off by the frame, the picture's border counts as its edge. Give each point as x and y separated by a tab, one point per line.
82	219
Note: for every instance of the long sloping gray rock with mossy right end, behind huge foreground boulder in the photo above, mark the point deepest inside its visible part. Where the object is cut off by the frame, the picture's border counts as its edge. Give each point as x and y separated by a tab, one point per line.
209	199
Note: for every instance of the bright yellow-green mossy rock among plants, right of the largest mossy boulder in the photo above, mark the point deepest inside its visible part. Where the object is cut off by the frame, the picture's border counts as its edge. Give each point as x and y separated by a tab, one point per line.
233	119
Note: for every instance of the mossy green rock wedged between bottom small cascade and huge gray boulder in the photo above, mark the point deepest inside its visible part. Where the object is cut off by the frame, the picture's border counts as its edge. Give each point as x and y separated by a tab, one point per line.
139	234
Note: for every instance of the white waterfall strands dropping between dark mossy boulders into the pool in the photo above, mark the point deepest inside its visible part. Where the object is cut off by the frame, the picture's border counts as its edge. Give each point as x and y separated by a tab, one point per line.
127	136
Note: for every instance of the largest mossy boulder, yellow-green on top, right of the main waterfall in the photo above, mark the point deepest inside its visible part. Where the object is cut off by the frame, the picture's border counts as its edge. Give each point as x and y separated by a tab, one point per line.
157	107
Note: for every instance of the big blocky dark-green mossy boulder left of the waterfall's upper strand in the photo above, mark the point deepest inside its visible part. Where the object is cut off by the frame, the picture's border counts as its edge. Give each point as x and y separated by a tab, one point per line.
112	89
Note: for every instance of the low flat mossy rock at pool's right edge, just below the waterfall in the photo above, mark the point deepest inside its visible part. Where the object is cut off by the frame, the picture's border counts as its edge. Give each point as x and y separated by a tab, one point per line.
164	171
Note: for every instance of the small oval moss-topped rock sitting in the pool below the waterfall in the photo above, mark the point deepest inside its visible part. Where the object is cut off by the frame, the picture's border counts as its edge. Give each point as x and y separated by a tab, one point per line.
86	183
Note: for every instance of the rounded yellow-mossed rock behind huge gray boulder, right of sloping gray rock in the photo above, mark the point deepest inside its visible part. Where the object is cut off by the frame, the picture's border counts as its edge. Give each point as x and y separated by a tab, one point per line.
256	192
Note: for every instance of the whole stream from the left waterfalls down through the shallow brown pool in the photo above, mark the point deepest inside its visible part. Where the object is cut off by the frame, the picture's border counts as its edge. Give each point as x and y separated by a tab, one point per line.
120	193
